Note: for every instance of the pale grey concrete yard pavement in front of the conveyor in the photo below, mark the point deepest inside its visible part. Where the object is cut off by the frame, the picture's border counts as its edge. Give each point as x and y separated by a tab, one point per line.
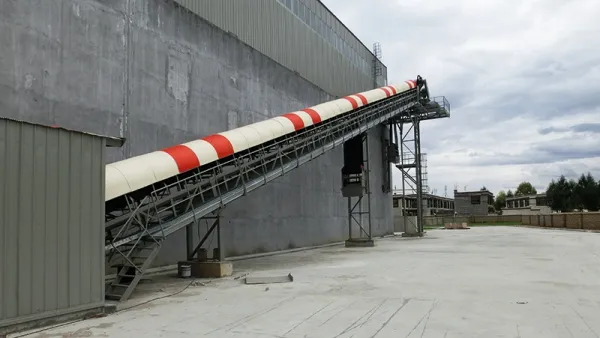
482	282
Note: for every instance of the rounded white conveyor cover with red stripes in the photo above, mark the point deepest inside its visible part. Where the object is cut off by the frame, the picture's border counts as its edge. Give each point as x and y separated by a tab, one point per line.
137	172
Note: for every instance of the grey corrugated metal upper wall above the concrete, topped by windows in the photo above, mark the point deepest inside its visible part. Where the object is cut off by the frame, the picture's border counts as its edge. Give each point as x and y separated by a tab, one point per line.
302	35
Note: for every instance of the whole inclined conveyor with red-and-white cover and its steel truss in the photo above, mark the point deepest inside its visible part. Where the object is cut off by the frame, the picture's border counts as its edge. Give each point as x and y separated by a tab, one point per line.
151	196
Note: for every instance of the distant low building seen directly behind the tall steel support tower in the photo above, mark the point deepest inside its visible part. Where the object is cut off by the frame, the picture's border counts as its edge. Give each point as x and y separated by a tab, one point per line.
432	205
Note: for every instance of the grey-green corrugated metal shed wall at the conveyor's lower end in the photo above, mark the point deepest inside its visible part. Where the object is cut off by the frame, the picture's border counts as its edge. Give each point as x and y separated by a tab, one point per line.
51	221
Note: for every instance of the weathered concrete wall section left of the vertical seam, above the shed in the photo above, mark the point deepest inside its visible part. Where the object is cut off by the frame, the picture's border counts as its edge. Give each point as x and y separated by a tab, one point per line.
62	63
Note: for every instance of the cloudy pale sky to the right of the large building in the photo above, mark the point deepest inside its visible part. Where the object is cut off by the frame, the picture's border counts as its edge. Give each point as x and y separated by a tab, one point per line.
522	78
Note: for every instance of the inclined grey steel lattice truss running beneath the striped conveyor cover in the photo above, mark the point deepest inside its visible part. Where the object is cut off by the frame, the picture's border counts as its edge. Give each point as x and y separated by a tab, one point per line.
148	215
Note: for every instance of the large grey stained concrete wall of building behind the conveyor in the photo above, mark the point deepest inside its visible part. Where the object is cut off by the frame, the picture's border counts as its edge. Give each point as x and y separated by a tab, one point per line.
158	75
